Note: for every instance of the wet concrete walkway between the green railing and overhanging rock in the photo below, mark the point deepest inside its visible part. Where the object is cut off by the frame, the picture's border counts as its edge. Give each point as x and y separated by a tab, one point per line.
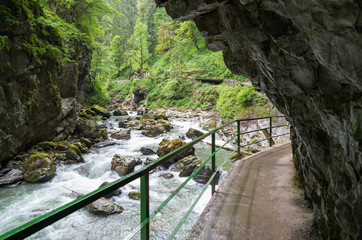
256	200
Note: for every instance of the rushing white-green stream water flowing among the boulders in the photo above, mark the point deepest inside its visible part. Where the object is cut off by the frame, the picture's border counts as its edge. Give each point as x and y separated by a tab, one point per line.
23	203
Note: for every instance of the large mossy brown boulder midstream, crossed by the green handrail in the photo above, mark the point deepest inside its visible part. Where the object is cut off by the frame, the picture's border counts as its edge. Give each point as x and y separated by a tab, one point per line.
167	146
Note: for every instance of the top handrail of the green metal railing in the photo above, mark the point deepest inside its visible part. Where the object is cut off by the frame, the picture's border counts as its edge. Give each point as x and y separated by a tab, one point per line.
49	218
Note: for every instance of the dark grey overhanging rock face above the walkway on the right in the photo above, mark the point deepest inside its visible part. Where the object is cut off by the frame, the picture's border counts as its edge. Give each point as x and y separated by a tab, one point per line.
307	57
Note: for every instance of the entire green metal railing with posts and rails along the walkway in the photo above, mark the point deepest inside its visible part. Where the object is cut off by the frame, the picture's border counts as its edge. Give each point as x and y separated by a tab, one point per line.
63	211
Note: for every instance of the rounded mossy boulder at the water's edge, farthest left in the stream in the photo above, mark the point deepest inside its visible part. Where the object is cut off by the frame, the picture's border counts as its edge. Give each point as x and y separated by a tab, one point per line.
39	167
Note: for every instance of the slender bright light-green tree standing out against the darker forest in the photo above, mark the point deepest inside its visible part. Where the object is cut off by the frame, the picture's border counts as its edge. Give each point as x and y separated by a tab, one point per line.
139	53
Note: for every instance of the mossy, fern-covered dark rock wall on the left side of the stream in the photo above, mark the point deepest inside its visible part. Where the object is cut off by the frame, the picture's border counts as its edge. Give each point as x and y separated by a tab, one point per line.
37	91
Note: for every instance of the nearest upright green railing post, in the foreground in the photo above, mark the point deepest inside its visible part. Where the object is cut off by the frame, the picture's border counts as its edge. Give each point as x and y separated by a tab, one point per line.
145	206
